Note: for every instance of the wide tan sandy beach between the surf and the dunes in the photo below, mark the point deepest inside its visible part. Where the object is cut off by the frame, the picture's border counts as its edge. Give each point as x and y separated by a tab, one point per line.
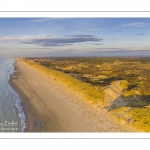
52	108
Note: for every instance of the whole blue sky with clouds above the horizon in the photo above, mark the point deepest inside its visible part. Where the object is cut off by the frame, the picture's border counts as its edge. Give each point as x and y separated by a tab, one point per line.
63	37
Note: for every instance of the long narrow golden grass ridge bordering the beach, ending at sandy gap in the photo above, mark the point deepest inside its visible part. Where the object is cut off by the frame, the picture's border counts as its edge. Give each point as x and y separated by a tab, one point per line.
92	94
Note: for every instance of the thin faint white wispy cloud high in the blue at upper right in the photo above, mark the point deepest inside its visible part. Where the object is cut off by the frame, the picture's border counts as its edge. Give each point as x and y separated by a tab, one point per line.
135	24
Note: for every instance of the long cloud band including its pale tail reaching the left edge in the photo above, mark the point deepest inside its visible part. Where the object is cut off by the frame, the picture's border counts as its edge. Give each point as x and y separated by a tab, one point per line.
49	40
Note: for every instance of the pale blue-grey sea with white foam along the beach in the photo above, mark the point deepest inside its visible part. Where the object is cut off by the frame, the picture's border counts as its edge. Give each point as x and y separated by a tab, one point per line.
12	116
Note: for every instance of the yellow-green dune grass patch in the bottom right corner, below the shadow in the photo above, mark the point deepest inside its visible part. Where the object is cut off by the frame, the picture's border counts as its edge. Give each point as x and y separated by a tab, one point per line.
137	118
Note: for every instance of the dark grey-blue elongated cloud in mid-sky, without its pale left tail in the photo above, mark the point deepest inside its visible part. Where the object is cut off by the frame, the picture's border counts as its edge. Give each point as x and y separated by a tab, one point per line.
62	41
